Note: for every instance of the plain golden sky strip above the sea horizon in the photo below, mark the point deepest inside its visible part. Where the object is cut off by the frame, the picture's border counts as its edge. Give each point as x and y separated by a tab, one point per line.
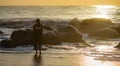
59	2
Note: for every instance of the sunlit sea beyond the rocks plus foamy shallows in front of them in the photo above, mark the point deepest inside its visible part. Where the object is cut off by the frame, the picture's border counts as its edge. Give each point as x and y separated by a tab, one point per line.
102	50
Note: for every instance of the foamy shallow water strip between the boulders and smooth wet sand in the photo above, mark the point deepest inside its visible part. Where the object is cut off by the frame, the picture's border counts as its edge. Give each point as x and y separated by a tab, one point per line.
102	50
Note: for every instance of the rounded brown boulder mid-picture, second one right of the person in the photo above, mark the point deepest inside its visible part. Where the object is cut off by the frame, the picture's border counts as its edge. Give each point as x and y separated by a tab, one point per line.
69	33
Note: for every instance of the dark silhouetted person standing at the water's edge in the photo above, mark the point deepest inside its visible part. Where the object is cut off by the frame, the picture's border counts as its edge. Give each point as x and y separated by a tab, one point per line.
38	32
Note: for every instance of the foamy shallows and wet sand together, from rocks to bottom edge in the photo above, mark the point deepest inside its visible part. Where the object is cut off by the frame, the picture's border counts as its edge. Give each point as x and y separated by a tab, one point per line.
67	54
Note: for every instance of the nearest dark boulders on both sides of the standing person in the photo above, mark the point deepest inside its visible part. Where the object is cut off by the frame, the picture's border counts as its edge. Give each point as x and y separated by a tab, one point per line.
50	36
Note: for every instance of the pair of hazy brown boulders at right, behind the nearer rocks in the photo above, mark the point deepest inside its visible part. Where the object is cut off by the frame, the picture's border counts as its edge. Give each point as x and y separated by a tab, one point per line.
98	28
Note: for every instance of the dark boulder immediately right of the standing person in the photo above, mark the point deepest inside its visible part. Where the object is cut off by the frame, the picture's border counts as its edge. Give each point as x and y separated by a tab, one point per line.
50	36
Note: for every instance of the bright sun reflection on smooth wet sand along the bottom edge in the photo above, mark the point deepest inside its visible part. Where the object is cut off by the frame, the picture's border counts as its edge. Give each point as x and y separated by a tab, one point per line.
90	61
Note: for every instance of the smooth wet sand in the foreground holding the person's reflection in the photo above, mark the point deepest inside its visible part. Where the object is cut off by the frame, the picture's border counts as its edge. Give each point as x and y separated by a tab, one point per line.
52	59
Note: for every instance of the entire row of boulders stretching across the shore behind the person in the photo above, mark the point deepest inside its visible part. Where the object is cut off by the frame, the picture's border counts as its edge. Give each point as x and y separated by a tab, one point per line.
57	32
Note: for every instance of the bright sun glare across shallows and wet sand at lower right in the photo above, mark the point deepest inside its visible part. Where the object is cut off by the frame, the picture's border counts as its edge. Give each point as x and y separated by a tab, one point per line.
98	57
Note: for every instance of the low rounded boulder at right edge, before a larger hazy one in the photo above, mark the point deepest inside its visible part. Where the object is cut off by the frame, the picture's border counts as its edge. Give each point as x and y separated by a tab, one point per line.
105	33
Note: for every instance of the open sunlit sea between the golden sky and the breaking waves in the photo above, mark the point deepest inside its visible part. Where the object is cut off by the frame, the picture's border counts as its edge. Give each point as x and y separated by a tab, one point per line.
60	12
